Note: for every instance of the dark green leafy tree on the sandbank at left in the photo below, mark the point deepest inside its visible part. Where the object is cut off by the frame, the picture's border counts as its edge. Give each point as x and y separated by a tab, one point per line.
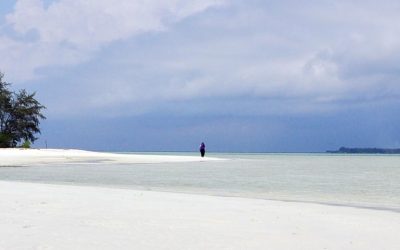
20	115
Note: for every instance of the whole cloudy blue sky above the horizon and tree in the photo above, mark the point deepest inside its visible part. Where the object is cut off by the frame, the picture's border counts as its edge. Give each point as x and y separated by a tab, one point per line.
240	75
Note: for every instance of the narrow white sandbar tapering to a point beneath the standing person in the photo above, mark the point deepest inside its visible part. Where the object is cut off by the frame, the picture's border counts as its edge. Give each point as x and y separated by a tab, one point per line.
30	157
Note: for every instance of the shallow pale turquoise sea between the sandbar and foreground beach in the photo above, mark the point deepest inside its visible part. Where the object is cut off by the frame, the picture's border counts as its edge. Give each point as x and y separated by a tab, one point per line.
370	181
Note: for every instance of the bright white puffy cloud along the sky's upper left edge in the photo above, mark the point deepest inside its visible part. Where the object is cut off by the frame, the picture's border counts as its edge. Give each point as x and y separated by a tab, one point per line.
88	24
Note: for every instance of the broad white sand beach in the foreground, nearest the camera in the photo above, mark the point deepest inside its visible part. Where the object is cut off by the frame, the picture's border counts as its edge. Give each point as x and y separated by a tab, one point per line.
42	216
